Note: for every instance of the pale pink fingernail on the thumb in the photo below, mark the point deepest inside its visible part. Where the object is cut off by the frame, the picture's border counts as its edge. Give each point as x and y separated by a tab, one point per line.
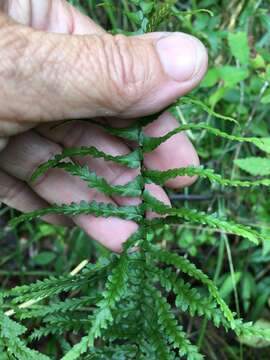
181	56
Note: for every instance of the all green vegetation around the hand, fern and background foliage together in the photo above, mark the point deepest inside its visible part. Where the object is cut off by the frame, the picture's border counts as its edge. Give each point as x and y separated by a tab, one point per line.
201	276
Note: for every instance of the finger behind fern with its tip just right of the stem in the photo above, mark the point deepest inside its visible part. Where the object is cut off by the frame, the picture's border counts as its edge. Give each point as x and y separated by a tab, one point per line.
87	134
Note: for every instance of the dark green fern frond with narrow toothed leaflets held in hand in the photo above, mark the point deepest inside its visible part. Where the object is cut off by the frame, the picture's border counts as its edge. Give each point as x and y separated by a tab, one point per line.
131	317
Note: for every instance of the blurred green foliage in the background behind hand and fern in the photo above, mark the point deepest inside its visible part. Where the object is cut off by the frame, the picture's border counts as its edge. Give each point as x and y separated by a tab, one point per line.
236	86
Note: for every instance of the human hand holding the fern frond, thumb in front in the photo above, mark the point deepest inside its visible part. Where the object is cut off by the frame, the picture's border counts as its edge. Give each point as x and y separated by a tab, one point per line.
60	65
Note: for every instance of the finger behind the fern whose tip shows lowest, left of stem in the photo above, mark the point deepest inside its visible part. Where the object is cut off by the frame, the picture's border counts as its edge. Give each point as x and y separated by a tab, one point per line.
21	157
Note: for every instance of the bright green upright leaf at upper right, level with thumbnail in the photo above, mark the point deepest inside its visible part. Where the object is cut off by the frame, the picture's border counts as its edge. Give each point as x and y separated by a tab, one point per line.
238	43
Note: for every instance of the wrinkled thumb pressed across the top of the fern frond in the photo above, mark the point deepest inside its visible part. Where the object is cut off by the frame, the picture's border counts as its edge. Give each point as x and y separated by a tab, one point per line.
54	77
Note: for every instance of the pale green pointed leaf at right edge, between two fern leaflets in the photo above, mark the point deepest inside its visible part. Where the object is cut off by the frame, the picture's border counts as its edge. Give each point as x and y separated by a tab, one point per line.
256	166
